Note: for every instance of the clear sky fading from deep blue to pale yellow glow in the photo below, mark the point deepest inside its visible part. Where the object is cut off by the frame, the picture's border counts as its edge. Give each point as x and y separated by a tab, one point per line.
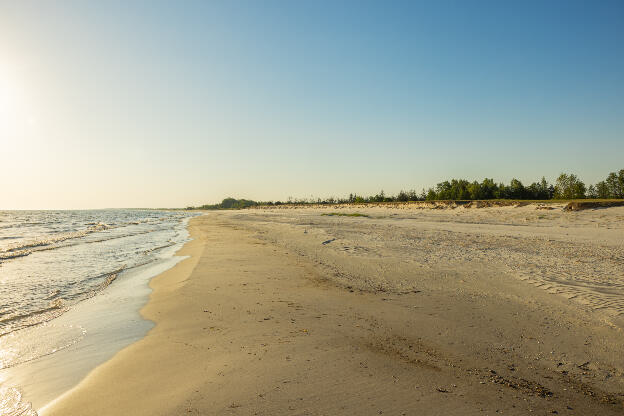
170	104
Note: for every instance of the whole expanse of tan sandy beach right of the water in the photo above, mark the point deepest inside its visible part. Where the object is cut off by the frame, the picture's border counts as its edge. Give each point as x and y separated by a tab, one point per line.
406	311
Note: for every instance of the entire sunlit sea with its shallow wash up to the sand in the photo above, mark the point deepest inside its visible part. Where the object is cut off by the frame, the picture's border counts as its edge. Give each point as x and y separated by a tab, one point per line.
72	279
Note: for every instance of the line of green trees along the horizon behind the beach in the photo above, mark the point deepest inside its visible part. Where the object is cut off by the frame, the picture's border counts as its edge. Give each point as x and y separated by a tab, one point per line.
567	186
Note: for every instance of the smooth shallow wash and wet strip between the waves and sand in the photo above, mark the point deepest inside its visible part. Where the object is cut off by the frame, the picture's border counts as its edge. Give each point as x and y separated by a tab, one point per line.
88	333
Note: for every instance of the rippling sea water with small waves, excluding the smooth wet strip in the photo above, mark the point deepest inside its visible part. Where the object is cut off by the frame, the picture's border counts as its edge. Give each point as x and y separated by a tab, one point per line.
51	260
